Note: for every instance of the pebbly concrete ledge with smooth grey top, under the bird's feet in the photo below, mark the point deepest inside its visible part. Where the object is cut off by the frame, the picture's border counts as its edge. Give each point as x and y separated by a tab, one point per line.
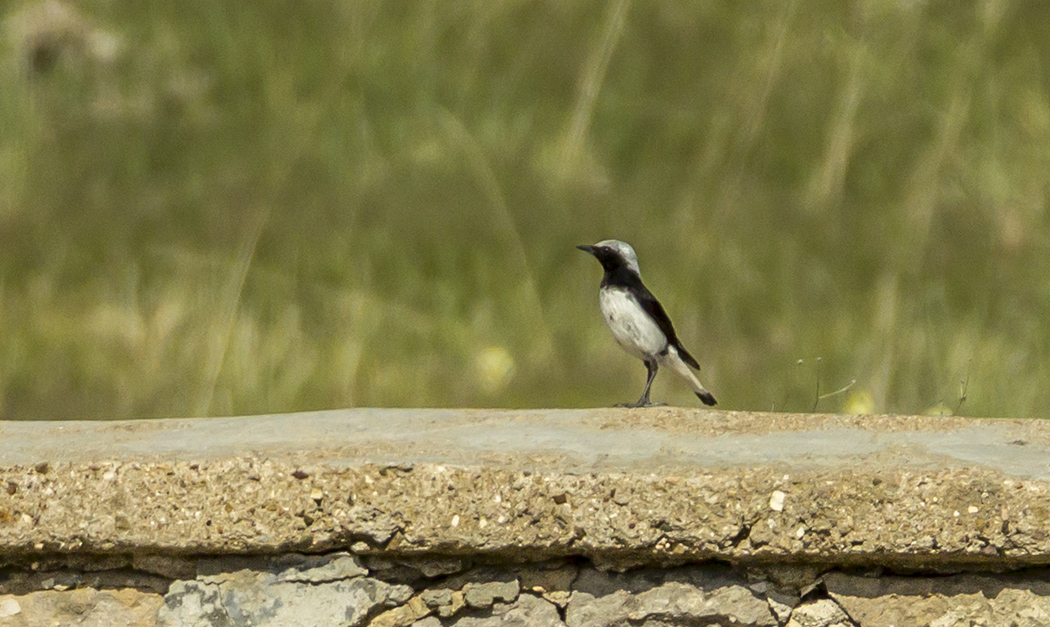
658	487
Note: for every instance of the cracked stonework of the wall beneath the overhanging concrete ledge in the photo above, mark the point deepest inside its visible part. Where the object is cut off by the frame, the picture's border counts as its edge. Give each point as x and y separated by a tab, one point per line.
341	589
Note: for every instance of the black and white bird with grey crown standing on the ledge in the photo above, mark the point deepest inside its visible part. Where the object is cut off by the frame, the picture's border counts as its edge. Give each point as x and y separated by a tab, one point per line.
638	321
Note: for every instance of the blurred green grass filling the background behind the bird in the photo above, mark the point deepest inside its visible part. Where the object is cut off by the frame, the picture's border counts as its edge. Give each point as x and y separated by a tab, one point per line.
213	208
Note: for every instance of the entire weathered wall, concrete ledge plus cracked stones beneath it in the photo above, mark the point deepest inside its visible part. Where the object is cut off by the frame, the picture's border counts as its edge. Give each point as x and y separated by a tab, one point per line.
473	518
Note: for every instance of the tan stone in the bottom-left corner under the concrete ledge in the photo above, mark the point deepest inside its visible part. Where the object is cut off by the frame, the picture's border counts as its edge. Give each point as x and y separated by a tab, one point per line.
85	608
